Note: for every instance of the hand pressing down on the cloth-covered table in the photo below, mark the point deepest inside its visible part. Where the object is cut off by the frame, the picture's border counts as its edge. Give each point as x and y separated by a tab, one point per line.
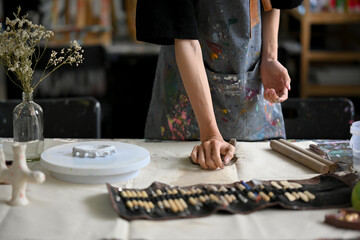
208	154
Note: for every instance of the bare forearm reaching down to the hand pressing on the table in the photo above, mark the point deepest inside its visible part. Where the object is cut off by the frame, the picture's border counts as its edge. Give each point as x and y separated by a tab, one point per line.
190	63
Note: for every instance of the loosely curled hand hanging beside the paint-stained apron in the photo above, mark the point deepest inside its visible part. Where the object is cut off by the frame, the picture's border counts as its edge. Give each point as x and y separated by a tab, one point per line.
275	79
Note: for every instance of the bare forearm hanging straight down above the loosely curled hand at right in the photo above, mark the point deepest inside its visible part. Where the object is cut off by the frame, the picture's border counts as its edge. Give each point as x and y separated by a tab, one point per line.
270	29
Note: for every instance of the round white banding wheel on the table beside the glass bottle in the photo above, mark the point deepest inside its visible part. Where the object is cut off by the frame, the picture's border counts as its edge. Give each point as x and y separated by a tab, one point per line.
122	165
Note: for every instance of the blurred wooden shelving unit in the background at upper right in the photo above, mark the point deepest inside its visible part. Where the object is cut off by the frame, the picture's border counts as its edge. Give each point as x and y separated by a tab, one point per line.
309	56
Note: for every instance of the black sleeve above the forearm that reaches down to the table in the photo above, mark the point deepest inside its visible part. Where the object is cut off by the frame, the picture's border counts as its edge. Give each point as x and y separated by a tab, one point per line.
161	21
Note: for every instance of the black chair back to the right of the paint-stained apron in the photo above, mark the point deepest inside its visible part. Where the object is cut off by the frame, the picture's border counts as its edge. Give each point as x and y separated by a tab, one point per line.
318	118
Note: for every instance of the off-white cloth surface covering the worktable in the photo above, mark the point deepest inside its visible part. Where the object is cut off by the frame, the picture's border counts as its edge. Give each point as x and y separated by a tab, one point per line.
62	210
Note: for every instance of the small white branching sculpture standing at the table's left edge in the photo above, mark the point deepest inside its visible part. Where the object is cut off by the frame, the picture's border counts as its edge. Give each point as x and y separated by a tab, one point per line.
18	174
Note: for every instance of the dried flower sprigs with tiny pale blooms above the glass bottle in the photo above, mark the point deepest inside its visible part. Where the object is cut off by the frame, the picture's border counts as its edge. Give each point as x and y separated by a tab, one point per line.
20	52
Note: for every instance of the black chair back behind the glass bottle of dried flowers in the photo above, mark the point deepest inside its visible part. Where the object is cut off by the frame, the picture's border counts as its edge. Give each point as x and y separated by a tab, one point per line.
78	117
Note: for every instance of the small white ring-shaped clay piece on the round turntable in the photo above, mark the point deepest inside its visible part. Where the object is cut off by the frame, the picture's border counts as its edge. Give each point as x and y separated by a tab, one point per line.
87	151
